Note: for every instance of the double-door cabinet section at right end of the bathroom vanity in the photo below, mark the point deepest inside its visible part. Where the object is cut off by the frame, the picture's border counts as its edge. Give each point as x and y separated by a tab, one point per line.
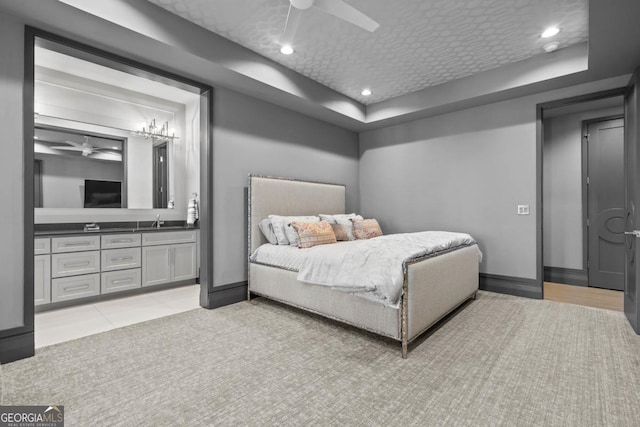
168	257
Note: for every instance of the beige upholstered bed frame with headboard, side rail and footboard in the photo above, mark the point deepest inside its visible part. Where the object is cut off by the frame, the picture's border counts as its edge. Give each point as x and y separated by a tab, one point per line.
432	286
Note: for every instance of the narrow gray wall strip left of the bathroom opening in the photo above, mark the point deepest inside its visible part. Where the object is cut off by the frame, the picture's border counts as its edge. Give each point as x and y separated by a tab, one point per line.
11	185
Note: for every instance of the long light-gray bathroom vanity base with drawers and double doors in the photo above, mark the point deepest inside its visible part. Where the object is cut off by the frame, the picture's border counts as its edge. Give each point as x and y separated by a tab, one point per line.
74	265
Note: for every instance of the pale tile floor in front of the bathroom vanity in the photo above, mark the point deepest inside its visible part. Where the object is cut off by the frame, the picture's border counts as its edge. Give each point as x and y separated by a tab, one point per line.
56	326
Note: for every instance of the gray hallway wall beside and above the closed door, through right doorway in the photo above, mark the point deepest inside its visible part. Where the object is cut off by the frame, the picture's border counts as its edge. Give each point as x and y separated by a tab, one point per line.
562	191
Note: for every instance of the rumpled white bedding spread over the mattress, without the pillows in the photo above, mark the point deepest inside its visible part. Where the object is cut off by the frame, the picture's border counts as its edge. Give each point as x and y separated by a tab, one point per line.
372	268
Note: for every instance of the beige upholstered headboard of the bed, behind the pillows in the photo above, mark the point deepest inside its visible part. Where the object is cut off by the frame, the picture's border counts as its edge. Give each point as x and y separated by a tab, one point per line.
286	196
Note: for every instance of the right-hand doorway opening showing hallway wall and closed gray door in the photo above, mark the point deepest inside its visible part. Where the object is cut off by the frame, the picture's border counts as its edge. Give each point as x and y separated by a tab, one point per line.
583	192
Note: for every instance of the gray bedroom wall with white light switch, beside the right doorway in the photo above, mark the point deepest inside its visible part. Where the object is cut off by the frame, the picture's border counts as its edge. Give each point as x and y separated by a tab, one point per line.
465	171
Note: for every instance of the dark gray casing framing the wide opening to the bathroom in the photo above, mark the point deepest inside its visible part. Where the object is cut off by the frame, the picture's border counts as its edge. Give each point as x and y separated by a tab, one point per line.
21	338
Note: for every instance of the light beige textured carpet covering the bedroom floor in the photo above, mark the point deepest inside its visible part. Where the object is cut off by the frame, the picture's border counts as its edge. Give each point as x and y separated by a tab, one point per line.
501	360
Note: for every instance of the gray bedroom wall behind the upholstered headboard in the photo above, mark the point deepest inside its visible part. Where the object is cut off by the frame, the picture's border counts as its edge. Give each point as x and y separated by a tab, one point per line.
251	136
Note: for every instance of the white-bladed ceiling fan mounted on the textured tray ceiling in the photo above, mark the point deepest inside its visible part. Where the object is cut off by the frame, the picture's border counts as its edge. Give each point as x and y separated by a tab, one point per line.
337	8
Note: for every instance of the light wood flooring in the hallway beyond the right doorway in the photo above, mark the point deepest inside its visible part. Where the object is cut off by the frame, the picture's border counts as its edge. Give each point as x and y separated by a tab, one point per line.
581	295
